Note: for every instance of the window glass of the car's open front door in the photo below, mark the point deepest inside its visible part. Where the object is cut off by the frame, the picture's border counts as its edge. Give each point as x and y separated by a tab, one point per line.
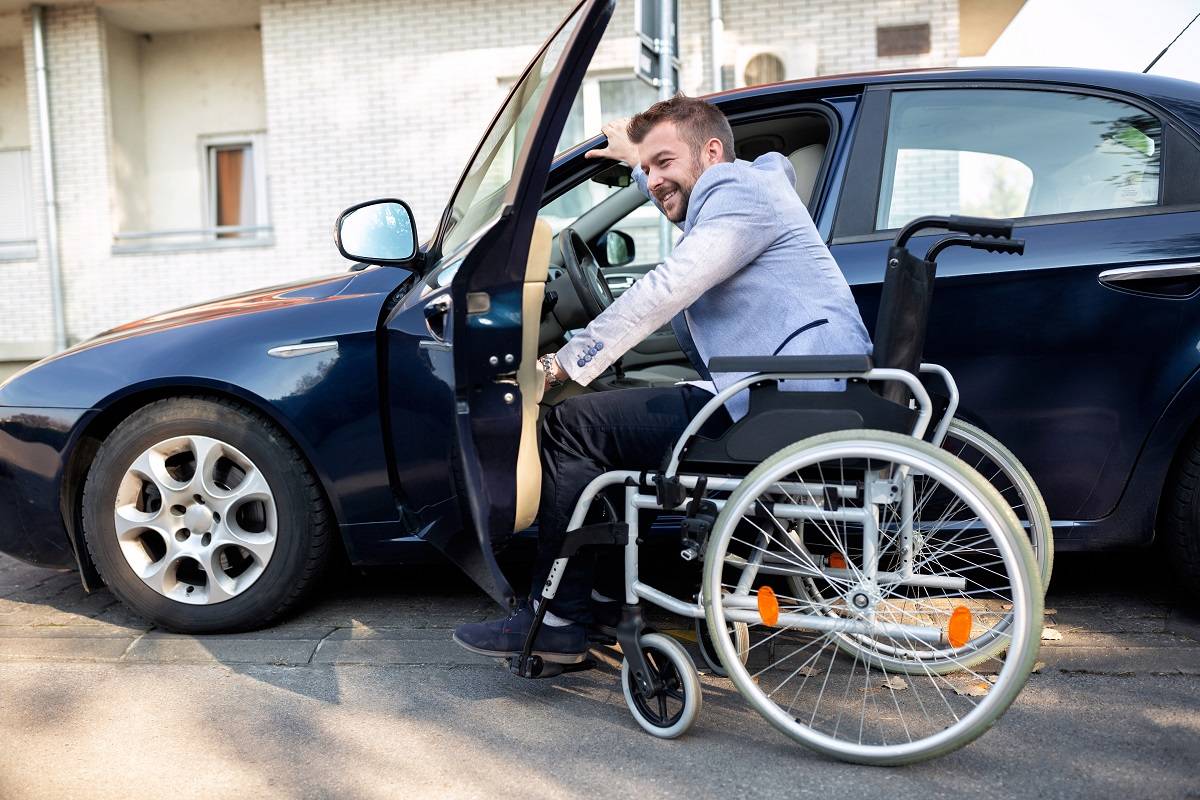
488	178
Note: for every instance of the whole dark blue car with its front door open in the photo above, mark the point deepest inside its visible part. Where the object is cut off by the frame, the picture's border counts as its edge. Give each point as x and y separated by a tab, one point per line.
206	464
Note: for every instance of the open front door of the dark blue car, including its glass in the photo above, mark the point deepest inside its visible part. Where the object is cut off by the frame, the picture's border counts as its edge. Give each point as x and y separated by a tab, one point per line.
491	228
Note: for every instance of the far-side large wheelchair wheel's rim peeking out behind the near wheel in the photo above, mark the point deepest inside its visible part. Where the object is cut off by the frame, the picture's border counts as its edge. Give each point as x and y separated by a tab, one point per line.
995	462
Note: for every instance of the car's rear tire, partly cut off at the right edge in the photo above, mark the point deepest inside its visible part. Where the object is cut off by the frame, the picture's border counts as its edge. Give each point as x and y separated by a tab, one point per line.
1180	521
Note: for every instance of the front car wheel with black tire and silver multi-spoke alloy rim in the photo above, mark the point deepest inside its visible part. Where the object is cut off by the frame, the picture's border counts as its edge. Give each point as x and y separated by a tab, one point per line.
283	519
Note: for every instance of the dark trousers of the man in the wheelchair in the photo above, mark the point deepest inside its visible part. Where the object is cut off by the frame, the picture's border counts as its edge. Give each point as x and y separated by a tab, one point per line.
591	435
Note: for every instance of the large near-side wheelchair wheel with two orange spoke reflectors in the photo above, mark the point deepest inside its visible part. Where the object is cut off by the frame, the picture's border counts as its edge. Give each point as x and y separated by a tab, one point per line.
917	563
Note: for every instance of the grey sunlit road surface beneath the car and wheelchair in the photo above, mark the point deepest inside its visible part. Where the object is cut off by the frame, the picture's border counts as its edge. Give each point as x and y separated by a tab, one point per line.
364	696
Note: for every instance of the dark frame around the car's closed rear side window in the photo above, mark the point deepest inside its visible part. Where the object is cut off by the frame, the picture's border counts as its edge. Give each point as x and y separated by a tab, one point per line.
859	209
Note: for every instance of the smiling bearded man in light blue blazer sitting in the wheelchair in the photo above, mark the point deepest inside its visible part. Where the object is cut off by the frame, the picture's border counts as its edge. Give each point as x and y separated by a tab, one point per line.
749	276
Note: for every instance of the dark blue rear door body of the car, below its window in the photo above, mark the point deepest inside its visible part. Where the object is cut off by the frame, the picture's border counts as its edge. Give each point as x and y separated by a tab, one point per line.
1070	374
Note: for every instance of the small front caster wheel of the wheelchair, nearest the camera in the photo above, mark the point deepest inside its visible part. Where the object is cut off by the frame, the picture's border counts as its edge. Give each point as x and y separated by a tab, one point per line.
673	711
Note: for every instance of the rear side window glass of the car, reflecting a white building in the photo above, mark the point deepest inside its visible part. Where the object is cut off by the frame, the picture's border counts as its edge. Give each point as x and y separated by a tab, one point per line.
1000	153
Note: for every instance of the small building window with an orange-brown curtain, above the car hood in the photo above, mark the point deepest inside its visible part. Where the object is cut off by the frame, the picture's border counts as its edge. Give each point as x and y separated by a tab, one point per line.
236	191
